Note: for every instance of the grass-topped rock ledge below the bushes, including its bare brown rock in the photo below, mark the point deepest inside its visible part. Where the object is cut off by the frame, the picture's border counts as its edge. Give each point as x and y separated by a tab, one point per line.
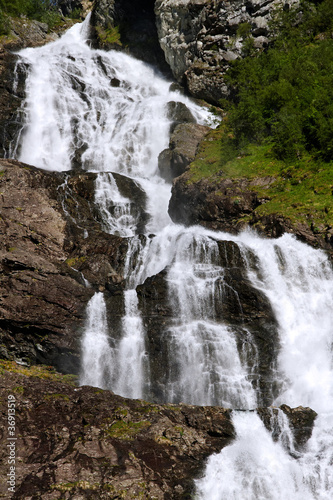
231	198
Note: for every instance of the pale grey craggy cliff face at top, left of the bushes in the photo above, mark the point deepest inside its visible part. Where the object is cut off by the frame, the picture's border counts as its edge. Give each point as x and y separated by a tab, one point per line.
200	38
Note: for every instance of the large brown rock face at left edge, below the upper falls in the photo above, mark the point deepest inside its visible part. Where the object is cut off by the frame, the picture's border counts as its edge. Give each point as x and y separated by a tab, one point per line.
51	242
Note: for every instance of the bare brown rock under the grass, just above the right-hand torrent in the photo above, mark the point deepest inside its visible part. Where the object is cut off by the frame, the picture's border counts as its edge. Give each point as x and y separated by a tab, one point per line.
230	205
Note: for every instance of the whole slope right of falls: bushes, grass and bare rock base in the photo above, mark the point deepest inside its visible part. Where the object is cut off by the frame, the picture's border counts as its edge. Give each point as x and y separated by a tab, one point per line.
270	162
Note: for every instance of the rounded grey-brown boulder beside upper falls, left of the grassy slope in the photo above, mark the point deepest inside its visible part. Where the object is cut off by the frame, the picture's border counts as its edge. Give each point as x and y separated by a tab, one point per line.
183	145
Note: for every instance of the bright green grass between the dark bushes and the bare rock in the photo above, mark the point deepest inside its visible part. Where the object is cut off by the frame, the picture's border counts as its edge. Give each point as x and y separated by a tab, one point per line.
300	190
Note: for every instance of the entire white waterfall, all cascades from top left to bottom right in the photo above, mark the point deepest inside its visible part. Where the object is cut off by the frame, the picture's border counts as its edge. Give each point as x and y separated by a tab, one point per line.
106	112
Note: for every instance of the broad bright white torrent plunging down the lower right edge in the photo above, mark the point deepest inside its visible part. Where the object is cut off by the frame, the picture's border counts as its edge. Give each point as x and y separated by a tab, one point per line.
299	283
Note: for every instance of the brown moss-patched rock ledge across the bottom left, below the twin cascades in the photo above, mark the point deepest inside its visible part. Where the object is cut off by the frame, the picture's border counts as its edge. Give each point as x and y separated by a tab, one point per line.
82	442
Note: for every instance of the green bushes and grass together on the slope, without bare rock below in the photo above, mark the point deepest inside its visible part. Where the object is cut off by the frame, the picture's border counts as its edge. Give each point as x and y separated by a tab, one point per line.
278	129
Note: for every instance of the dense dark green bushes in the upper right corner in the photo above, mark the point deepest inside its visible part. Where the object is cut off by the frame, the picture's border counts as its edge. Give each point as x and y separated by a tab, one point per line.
284	94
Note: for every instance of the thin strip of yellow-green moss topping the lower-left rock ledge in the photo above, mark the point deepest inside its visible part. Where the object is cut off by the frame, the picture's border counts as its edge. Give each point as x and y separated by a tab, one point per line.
40	371
